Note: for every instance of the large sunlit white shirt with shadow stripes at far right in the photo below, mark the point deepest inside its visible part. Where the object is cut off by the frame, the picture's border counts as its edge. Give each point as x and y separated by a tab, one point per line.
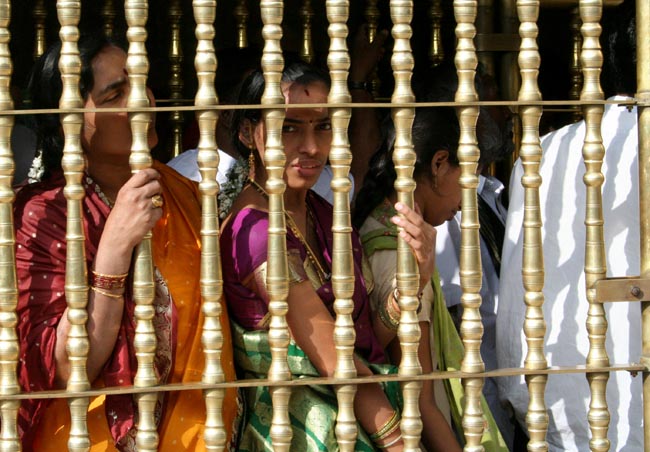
562	197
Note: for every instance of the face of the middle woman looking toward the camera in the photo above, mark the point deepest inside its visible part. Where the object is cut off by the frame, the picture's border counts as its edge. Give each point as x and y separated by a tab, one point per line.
306	135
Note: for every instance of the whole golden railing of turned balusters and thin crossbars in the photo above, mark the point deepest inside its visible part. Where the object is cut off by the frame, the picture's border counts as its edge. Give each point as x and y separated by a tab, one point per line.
529	105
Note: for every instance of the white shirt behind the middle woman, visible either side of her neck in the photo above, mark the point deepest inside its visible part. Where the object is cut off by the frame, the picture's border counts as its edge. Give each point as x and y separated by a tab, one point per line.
187	165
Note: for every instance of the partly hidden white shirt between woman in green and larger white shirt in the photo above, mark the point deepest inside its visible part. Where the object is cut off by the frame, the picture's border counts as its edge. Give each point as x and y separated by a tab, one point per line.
448	262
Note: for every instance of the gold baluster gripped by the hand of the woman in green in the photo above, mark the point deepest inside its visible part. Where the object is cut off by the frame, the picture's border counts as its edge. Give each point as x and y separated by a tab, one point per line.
401	12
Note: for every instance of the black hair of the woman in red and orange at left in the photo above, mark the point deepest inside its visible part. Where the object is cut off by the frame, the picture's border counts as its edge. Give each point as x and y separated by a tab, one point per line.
44	92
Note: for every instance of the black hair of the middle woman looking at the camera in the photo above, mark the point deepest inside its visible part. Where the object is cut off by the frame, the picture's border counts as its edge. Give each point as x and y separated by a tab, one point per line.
252	89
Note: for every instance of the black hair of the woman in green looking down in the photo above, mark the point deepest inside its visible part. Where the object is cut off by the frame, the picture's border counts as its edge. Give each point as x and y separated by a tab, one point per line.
434	129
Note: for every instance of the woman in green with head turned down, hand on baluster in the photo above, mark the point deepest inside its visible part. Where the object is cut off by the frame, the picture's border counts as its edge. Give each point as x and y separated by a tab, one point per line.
437	196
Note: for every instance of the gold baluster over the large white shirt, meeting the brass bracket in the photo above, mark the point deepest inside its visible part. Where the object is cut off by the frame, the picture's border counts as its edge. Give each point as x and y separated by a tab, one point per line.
593	153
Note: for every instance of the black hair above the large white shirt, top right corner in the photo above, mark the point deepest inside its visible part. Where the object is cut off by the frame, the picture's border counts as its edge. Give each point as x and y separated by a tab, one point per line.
619	49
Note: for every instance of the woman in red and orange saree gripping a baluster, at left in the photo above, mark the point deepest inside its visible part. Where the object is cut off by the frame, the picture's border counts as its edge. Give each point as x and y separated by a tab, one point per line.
118	209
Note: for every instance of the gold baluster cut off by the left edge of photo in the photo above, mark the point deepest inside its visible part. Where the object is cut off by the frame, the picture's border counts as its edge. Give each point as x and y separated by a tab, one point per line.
9	350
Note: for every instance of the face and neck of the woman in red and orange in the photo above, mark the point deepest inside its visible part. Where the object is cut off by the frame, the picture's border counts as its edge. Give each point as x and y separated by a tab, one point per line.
107	136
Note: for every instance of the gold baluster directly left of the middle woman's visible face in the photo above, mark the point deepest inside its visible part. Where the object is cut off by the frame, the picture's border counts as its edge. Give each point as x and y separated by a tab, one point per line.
277	277
